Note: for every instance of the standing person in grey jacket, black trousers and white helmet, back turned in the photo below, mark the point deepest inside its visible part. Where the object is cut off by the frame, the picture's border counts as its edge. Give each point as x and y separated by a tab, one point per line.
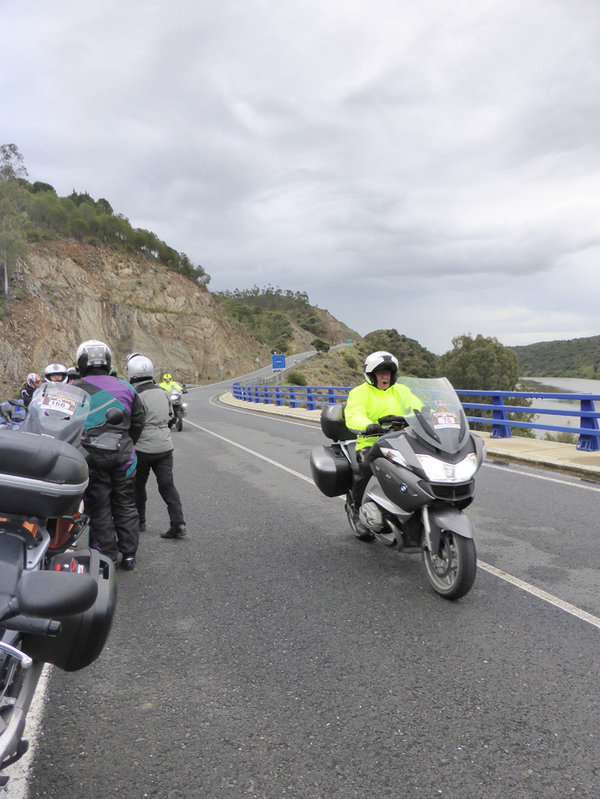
154	447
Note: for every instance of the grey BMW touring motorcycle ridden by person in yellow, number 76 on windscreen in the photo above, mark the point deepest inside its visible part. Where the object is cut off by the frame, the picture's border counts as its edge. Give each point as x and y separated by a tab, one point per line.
423	470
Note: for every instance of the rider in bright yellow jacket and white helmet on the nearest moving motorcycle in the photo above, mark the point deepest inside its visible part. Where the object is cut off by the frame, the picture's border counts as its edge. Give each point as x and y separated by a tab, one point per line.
379	396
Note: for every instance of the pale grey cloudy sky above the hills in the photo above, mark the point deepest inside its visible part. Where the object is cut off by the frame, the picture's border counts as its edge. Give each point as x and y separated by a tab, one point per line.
429	166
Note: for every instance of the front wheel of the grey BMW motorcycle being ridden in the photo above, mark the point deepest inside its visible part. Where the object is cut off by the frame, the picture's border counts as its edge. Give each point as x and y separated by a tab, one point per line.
451	572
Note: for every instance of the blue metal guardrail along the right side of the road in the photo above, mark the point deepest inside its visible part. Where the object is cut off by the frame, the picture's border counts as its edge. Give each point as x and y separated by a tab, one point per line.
312	397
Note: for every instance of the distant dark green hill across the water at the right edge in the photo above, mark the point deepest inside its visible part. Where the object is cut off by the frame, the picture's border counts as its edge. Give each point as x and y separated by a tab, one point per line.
578	357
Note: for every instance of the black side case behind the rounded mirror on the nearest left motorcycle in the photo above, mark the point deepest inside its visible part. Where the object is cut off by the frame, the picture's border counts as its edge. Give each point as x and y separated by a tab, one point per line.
83	635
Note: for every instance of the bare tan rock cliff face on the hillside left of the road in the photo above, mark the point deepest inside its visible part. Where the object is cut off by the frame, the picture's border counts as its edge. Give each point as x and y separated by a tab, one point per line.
64	292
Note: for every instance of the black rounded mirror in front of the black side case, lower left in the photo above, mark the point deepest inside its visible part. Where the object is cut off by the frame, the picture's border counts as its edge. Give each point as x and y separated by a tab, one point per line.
48	594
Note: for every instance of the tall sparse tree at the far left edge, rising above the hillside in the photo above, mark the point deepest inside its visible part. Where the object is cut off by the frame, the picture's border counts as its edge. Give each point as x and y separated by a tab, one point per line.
13	241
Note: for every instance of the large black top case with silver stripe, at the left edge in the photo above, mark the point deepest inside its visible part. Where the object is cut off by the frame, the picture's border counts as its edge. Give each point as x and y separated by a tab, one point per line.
39	475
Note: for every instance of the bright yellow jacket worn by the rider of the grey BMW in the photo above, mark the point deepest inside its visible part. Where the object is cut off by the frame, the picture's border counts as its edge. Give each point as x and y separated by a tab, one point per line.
367	404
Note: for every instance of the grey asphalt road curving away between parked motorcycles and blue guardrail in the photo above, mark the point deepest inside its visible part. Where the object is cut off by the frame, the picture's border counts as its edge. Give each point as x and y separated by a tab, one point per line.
272	654
